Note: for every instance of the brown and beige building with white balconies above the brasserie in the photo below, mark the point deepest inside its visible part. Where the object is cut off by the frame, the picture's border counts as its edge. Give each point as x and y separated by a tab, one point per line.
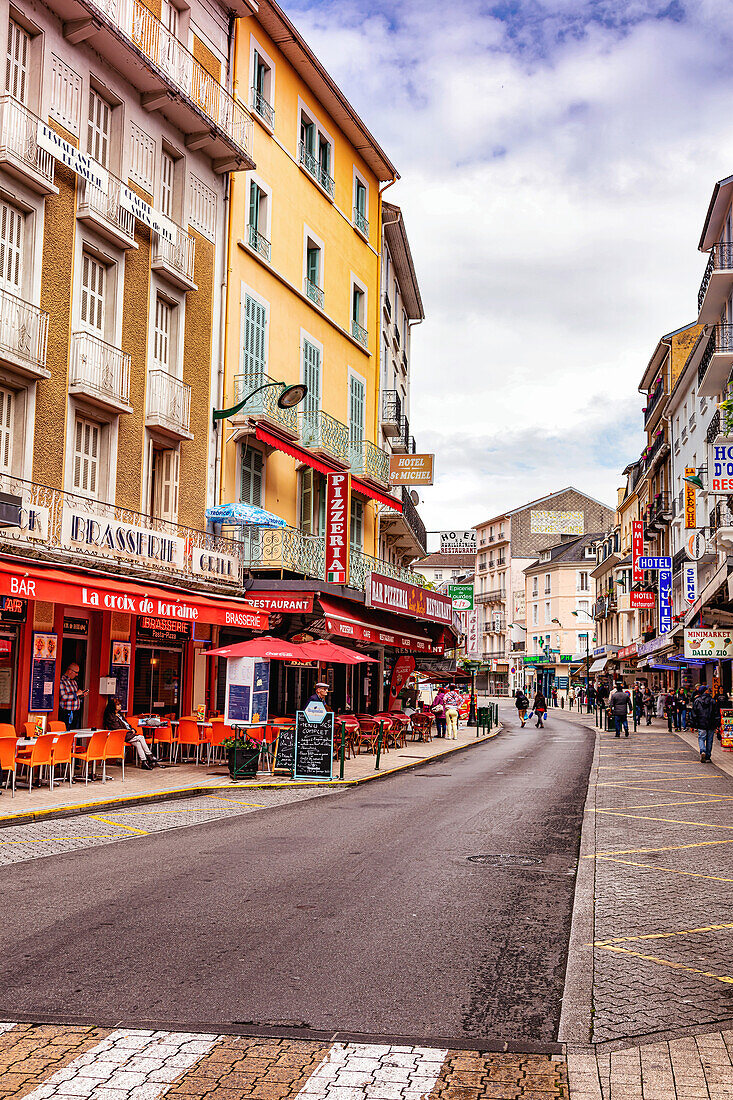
118	135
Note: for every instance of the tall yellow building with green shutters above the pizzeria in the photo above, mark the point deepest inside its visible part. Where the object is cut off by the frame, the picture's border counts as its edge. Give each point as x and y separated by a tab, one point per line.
304	296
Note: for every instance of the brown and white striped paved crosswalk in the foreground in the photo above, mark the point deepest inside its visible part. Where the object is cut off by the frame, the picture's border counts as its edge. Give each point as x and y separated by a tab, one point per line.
45	1063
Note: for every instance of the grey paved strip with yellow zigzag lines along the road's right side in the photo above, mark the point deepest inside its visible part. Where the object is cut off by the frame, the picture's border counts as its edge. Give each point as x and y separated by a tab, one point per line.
664	888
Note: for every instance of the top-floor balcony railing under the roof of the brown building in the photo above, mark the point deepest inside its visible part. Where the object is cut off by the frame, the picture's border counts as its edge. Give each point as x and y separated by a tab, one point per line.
135	23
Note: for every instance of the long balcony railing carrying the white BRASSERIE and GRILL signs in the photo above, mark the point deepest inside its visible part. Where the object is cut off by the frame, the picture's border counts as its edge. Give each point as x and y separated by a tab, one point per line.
52	538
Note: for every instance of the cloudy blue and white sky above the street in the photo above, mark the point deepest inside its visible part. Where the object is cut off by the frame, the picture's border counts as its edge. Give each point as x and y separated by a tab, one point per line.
557	158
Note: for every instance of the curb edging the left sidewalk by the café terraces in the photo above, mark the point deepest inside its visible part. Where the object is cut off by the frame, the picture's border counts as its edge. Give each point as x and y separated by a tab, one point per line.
192	793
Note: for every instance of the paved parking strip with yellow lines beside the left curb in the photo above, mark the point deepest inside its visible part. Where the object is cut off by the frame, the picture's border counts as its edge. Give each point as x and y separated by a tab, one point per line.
53	838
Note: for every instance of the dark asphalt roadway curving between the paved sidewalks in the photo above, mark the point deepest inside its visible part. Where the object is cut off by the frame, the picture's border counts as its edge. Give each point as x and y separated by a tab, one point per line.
358	912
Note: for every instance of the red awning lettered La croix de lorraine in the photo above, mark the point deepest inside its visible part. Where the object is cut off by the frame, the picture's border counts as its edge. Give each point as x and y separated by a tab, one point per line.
99	592
